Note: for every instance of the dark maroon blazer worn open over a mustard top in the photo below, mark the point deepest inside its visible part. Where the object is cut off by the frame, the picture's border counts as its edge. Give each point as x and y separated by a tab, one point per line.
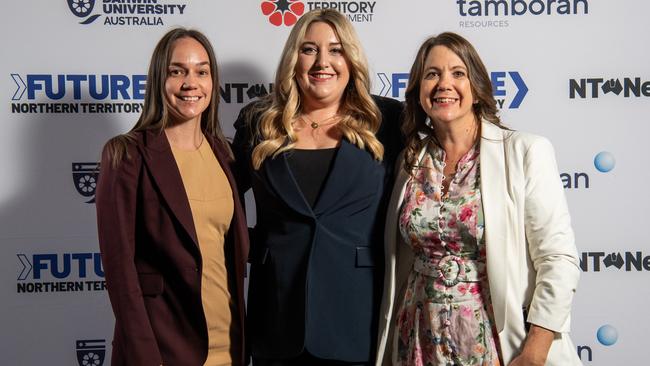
152	260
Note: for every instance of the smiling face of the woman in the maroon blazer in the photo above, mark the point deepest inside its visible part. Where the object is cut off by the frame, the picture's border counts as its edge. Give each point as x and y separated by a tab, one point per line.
188	87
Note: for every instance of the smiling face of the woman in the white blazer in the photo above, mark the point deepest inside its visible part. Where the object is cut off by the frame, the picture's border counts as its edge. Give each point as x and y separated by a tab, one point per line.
445	90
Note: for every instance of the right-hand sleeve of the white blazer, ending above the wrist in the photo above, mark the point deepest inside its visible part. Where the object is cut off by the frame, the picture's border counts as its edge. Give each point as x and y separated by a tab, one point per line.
551	243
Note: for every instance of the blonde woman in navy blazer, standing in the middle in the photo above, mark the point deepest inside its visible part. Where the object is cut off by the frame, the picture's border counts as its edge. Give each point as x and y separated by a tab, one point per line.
318	154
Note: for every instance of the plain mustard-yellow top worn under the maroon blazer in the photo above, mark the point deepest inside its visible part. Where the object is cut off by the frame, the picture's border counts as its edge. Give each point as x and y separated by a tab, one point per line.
211	201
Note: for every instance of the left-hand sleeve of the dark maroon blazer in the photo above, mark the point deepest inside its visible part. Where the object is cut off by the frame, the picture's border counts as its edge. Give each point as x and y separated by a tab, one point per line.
116	201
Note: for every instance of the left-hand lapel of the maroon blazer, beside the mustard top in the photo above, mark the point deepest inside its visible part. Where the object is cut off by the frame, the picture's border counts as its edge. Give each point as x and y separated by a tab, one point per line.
160	162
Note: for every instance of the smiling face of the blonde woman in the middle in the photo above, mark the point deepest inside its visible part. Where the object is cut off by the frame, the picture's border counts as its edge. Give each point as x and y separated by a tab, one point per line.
322	70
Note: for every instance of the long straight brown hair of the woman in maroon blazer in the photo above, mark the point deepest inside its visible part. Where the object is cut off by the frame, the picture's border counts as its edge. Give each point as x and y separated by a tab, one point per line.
155	114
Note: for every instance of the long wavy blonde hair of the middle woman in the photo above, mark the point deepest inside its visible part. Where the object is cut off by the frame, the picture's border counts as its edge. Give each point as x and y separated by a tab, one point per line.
362	117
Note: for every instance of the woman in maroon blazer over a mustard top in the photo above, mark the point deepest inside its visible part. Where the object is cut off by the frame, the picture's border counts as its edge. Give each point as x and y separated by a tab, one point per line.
172	232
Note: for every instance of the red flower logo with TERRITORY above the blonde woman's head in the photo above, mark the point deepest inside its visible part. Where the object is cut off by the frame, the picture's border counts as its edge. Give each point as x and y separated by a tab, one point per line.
287	12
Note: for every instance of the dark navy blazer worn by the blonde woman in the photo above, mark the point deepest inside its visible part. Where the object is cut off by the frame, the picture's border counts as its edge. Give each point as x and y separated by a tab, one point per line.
317	273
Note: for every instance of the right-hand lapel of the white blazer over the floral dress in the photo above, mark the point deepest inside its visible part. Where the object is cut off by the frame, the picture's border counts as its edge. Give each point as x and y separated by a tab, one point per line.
495	199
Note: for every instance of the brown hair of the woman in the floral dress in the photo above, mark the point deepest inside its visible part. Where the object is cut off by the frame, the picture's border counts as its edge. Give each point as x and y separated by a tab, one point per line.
414	125
